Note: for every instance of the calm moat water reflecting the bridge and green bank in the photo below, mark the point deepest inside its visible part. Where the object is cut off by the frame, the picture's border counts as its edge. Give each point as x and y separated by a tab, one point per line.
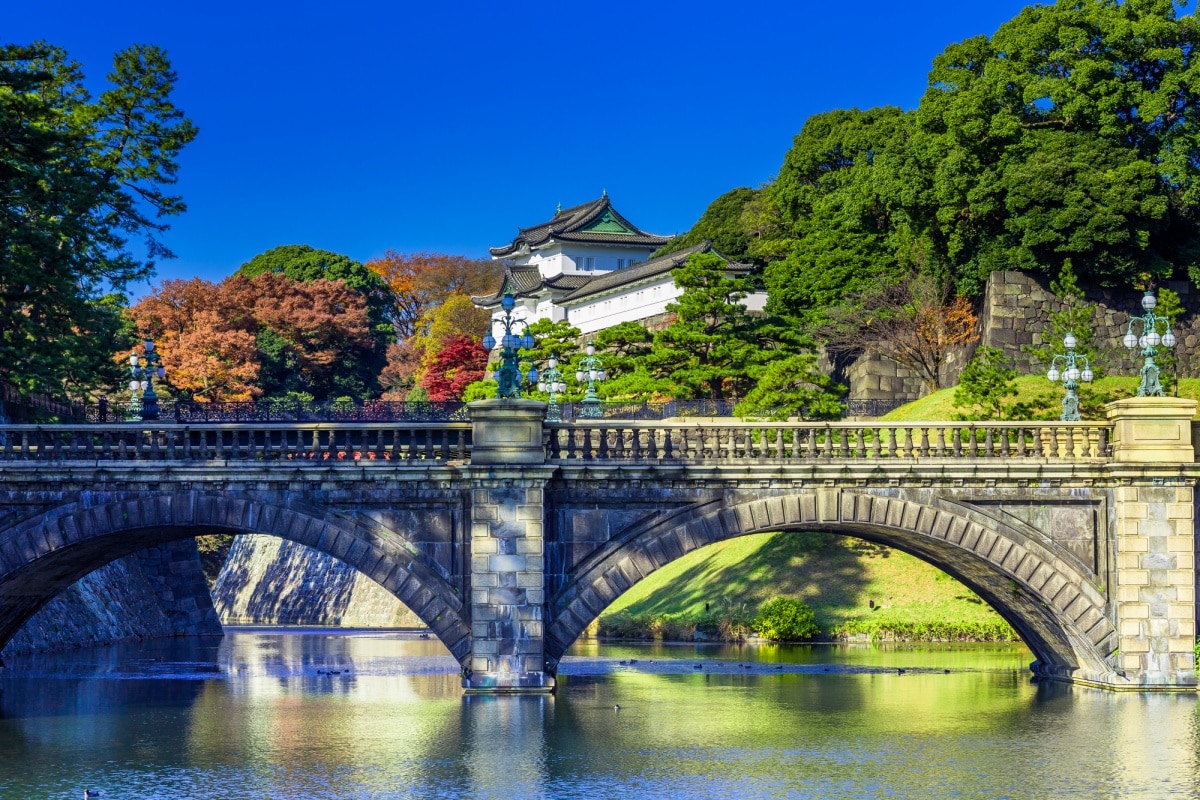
311	714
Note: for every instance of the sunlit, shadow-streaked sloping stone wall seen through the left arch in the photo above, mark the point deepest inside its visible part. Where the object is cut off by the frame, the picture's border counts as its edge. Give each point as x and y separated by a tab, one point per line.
269	581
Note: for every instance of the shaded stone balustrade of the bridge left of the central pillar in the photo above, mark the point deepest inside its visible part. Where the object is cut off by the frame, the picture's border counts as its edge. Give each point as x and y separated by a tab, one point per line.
301	444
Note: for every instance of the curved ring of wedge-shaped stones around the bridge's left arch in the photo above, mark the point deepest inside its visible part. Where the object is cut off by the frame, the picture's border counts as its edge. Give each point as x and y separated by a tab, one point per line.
41	556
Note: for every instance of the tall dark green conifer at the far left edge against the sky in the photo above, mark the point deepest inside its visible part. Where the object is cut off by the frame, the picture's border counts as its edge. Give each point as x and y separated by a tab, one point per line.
80	177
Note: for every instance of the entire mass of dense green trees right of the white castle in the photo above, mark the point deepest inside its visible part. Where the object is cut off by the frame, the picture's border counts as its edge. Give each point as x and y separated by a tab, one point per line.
1073	133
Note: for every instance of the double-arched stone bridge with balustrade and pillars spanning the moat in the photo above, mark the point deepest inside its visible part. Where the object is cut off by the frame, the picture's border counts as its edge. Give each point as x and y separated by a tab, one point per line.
508	536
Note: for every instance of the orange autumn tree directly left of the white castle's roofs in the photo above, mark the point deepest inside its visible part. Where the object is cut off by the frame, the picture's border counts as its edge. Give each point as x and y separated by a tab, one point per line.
422	281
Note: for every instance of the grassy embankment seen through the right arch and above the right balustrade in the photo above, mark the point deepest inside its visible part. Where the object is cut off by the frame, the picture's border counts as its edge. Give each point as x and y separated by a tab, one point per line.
854	587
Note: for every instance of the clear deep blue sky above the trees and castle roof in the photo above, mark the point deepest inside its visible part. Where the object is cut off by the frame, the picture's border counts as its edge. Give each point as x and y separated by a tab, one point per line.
442	127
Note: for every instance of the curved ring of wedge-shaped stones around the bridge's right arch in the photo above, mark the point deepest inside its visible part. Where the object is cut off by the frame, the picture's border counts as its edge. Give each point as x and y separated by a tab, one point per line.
1051	603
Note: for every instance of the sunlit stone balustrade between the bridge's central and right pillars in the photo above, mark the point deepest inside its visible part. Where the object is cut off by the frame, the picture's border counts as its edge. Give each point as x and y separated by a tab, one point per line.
790	442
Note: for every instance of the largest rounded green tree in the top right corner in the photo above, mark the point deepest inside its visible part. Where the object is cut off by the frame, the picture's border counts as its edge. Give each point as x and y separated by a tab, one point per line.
1071	134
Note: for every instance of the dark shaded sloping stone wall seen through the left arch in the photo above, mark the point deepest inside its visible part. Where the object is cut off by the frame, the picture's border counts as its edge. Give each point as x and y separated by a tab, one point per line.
158	593
